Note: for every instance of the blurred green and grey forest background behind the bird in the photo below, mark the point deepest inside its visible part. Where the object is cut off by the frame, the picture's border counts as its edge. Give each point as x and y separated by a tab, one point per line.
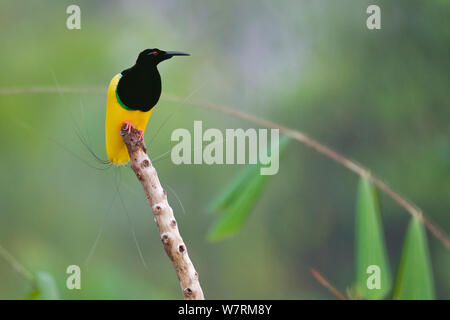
379	97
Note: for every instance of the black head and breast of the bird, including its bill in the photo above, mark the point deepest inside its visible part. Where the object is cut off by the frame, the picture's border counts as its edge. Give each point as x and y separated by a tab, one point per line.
140	86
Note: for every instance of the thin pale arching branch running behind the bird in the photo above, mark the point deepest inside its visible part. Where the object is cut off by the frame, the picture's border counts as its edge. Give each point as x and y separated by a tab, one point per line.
410	207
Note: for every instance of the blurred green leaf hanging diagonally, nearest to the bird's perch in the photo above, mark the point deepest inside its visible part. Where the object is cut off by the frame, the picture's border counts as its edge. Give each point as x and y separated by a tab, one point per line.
239	198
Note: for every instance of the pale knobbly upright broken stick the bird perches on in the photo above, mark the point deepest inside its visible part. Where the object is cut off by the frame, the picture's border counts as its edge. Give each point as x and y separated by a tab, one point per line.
164	218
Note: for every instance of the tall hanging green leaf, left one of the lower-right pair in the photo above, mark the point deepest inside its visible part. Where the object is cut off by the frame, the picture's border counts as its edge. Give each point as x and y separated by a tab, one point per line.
373	275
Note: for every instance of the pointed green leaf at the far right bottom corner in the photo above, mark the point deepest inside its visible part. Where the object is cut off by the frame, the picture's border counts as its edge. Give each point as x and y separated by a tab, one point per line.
414	276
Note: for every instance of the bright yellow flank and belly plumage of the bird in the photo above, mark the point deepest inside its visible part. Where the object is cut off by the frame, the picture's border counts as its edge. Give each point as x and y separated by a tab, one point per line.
116	115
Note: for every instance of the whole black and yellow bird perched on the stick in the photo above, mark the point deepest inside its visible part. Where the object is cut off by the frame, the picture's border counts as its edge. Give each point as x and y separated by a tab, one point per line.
132	94
